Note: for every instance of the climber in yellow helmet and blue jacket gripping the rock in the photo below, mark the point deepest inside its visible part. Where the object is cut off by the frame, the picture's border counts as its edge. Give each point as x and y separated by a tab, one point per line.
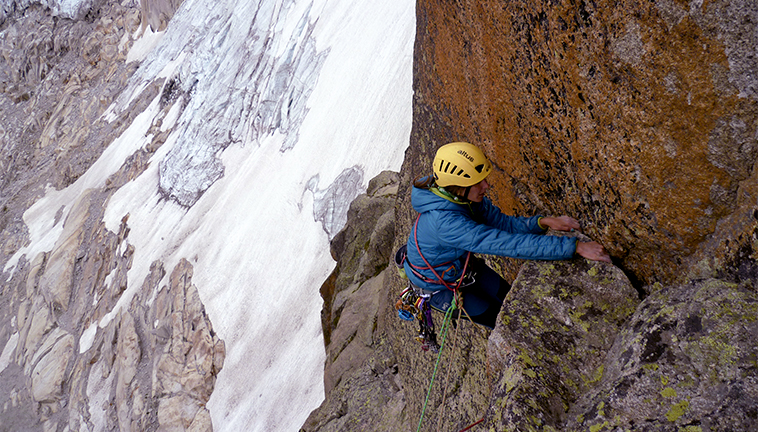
456	219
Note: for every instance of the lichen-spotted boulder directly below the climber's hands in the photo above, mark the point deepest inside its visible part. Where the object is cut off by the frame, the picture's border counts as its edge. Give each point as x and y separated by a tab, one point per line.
552	336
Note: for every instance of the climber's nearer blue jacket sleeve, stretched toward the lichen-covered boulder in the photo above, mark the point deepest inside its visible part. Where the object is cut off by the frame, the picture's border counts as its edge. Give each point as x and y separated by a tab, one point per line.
462	232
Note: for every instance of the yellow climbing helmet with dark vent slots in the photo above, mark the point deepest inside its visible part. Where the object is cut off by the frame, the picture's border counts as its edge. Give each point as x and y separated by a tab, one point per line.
460	164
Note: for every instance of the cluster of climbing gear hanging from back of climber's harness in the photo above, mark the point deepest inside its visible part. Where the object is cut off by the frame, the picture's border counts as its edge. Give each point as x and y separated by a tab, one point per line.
413	304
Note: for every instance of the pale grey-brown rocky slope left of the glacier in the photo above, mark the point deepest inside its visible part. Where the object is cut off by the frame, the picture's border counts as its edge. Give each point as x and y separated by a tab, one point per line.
69	360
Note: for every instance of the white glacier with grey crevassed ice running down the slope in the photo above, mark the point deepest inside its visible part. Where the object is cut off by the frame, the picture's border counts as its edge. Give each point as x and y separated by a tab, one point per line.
281	111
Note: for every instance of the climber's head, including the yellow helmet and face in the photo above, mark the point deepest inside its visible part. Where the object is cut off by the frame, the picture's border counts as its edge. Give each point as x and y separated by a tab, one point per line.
461	168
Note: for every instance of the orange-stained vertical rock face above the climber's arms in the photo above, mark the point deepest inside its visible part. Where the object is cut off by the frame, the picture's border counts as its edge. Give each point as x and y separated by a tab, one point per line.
638	118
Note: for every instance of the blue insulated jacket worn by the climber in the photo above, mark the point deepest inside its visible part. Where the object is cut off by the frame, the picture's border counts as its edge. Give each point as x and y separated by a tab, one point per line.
447	230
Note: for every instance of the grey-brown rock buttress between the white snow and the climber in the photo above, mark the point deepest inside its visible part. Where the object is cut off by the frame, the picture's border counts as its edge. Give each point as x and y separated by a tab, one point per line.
363	389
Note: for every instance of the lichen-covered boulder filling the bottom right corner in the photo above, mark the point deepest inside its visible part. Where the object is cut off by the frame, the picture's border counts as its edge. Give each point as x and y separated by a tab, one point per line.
685	361
